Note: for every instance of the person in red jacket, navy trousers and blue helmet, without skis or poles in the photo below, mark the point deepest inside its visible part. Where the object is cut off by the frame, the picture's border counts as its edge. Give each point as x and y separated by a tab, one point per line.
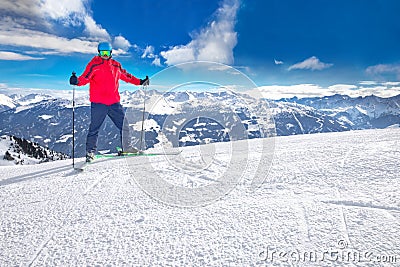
103	73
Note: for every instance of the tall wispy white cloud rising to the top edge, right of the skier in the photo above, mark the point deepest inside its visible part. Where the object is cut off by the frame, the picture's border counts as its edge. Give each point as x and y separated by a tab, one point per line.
213	43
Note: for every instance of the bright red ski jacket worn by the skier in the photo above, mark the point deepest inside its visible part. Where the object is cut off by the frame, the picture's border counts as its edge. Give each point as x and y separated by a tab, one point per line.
103	76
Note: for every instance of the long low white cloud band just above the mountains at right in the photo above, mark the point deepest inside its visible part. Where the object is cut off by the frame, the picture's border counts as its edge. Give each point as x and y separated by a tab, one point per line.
313	90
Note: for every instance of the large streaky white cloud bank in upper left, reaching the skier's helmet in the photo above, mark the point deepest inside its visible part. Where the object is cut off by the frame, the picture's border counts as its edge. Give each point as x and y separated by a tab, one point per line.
30	24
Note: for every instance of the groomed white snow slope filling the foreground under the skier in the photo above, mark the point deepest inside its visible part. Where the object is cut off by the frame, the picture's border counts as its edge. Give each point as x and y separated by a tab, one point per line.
328	195
